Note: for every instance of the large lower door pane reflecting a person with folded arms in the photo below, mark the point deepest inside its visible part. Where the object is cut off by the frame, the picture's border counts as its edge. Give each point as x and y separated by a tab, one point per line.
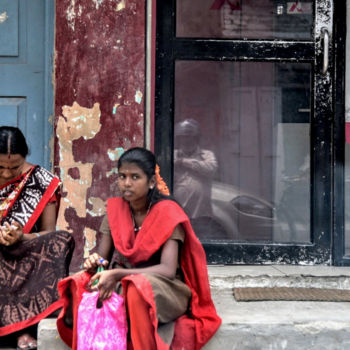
242	149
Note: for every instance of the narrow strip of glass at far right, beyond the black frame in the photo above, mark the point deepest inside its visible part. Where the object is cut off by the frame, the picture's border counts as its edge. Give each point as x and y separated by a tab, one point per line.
347	144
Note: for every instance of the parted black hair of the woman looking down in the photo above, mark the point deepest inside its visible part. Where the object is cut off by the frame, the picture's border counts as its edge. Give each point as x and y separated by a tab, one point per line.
12	141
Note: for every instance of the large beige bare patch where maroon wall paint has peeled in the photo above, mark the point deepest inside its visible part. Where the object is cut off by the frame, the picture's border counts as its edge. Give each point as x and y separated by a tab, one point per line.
77	122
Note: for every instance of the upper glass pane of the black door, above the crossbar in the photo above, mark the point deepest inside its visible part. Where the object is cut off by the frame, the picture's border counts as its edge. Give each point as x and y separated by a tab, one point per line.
250	19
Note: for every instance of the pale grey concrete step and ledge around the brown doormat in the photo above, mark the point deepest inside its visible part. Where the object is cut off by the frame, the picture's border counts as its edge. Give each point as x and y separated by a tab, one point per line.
265	325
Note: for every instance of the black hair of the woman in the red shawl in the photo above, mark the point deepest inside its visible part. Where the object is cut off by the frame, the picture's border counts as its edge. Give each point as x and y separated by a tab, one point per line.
146	161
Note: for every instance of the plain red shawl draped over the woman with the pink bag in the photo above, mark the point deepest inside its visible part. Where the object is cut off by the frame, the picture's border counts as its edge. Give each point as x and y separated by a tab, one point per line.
192	330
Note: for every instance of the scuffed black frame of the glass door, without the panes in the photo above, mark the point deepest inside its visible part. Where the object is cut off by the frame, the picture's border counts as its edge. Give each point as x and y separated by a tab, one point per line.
171	48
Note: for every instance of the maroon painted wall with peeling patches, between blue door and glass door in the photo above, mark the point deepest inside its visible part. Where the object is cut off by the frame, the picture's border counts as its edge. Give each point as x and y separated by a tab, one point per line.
99	106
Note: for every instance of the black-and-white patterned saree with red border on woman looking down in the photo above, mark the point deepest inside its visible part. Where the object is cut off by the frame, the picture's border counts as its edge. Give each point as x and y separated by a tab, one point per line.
31	269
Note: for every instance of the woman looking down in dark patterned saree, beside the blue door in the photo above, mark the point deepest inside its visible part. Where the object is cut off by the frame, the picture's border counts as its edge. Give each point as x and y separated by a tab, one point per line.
33	257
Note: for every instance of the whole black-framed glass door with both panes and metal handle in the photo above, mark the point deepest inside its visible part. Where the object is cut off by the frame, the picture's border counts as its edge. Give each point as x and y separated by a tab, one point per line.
243	125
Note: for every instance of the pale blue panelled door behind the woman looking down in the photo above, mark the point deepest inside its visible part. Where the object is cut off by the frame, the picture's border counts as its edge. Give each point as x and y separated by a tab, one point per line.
26	46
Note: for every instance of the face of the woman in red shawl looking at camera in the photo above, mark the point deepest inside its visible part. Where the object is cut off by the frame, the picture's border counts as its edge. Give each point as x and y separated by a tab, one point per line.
133	183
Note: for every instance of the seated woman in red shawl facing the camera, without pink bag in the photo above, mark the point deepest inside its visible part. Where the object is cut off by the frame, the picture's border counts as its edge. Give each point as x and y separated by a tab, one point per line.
159	261
